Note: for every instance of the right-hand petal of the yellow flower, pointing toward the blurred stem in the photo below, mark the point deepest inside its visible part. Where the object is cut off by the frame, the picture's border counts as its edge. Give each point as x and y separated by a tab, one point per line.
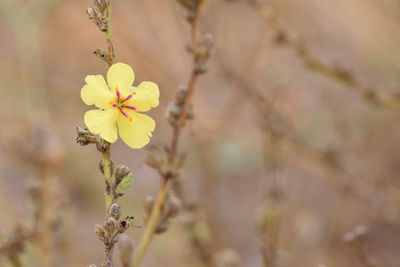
146	97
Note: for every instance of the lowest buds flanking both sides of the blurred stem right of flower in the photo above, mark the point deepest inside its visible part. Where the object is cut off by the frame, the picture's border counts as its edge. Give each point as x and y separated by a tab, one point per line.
170	210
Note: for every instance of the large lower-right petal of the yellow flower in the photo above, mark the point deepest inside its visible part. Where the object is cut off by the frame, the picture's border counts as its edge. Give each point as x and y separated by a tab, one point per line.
136	132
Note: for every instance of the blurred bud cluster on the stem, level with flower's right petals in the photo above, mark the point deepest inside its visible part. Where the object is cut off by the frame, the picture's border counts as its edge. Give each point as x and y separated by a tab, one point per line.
175	107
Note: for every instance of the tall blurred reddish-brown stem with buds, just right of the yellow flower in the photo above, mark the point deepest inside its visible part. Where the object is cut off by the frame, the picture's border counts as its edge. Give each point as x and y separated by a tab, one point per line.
170	161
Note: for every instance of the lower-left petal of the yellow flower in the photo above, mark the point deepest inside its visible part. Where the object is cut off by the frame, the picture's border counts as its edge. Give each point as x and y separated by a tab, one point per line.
103	123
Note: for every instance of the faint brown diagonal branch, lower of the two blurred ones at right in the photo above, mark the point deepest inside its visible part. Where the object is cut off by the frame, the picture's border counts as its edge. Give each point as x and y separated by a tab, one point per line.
278	129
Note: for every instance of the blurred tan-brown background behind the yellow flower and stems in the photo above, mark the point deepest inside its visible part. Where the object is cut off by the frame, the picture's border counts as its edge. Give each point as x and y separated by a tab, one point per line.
294	152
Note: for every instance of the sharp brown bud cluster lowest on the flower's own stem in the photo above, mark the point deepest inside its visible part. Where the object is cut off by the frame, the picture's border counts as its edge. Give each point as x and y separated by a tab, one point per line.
113	226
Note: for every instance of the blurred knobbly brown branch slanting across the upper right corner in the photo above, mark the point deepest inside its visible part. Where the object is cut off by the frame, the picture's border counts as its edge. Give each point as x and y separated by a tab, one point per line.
311	61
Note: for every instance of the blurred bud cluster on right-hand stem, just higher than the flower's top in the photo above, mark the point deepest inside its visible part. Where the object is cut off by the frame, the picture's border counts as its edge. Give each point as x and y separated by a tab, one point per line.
201	52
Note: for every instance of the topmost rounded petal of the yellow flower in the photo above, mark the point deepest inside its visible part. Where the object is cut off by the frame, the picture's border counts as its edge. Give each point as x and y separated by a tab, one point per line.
120	76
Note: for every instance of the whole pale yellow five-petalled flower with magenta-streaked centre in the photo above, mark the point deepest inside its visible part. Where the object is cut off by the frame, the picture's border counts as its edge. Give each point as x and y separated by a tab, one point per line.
120	105
